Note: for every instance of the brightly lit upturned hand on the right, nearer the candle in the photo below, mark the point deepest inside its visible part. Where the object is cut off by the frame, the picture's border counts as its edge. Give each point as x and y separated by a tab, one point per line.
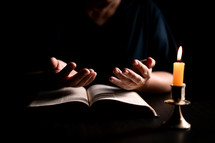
134	78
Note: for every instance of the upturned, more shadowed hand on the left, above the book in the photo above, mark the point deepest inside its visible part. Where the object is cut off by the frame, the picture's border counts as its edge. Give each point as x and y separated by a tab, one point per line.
66	76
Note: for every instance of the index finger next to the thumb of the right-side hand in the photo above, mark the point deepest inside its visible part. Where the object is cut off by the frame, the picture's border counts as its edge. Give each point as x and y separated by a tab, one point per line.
141	68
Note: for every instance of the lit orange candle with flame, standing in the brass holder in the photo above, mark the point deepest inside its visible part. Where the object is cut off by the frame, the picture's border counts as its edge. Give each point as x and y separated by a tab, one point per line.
178	69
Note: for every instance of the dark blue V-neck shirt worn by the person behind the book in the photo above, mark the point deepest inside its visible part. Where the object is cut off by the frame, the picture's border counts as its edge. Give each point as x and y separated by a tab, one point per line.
137	30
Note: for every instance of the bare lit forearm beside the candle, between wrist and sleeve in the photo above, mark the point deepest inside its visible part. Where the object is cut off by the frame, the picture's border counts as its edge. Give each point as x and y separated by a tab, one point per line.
159	82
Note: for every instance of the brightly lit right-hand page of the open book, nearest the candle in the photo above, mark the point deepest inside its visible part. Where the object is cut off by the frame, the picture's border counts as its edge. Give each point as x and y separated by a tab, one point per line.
106	92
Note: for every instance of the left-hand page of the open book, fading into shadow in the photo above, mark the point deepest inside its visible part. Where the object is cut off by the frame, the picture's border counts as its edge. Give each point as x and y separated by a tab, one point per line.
59	96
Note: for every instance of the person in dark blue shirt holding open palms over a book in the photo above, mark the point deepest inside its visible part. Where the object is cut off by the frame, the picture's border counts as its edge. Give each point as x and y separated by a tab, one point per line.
126	43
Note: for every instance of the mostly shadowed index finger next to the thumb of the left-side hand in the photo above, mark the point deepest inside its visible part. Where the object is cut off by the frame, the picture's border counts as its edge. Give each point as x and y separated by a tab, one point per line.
66	70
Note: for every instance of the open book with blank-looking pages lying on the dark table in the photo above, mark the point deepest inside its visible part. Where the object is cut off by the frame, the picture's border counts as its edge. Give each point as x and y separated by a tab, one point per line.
95	94
